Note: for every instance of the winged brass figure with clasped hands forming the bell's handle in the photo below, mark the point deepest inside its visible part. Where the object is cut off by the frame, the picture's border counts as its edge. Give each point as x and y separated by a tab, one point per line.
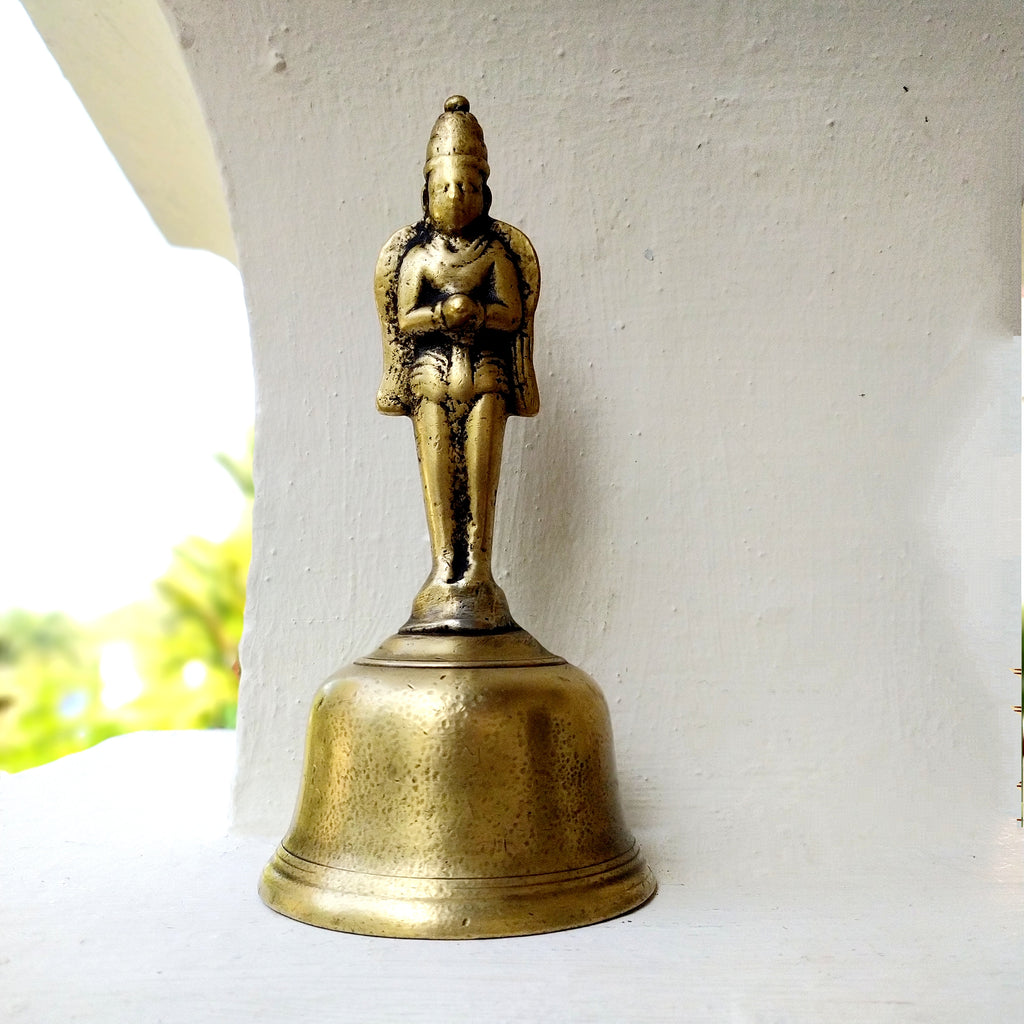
456	295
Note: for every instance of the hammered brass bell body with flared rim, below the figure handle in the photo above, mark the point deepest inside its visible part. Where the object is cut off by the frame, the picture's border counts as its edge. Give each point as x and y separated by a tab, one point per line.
458	787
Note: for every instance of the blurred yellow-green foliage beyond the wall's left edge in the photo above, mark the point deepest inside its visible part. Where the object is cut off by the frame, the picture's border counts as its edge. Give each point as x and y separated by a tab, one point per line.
167	663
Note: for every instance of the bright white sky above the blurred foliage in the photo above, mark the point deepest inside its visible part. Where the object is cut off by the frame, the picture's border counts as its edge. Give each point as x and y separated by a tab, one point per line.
124	362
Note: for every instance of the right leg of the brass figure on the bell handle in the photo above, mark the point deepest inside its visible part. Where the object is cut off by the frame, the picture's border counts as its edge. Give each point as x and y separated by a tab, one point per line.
485	436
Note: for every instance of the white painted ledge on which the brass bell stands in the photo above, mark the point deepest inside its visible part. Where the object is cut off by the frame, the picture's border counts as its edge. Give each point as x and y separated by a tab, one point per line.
126	900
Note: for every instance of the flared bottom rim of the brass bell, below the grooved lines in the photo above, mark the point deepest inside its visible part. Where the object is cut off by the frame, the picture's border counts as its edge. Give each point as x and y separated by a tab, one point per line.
454	909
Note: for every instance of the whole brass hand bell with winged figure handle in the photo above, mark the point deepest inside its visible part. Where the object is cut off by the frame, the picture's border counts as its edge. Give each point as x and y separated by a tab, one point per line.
460	781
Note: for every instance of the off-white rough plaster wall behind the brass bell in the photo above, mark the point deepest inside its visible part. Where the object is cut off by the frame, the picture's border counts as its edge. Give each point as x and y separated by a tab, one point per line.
771	501
